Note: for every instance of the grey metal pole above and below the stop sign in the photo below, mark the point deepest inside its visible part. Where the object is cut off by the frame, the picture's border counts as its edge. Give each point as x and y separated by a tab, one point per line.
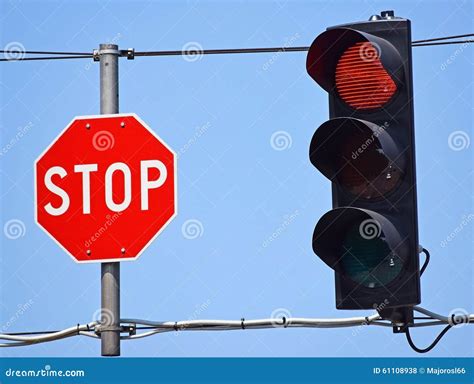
110	272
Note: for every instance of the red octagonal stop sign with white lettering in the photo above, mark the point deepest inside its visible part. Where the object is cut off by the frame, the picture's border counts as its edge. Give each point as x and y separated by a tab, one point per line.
105	188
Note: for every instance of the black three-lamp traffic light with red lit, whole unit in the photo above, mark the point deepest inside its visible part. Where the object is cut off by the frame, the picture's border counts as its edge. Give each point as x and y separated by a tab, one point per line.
366	149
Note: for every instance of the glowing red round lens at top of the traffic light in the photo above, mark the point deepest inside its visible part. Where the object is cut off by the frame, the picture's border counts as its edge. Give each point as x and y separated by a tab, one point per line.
361	80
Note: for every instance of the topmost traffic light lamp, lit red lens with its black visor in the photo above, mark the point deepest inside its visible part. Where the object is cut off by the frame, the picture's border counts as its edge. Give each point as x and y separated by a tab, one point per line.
364	70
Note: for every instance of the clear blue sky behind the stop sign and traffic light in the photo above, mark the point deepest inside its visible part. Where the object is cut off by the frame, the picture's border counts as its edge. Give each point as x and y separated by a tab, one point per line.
220	113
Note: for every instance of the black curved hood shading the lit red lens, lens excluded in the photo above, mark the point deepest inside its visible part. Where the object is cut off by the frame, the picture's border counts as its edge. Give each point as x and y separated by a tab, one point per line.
328	47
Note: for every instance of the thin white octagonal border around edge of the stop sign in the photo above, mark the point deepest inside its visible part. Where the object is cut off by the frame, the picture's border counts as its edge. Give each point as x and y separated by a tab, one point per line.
175	186
